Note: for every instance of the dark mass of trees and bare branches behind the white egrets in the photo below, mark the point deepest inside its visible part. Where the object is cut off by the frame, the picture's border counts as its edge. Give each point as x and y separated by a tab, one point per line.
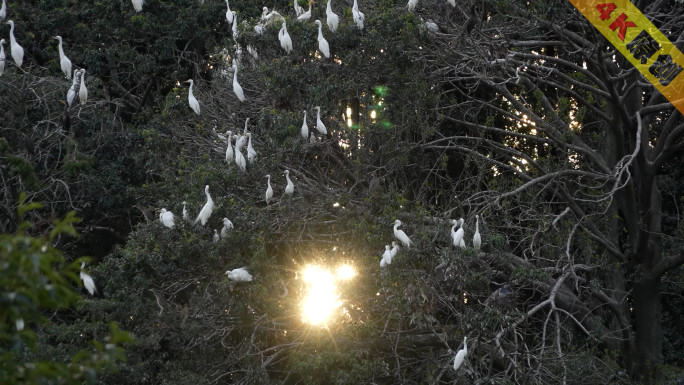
517	117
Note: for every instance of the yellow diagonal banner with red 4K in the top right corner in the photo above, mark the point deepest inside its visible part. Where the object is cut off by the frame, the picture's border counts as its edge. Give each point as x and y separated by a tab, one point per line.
641	43
